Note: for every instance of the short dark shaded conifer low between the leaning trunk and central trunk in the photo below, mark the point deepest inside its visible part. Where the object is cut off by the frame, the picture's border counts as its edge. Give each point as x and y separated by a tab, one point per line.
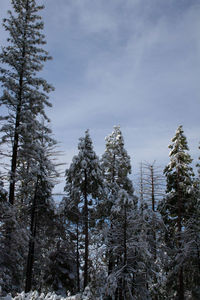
59	271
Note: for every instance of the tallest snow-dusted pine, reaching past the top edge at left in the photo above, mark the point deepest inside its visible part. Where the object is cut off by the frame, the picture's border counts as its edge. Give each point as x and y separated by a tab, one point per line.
24	94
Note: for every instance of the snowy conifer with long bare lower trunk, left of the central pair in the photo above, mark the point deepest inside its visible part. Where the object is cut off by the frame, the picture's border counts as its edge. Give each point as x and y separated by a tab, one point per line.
84	185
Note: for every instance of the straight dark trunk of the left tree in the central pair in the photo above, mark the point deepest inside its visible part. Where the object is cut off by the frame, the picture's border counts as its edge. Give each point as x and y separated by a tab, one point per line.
86	233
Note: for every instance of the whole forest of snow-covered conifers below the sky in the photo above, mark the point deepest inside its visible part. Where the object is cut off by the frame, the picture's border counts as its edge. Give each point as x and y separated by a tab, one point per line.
103	240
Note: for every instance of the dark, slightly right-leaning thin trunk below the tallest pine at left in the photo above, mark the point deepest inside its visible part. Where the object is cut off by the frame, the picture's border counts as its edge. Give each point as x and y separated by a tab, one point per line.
31	252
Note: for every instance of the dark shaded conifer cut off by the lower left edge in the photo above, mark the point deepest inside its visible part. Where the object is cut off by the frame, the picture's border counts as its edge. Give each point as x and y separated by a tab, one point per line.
11	257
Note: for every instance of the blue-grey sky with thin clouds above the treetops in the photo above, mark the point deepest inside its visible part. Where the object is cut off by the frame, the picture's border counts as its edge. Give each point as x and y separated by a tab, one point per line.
133	63
